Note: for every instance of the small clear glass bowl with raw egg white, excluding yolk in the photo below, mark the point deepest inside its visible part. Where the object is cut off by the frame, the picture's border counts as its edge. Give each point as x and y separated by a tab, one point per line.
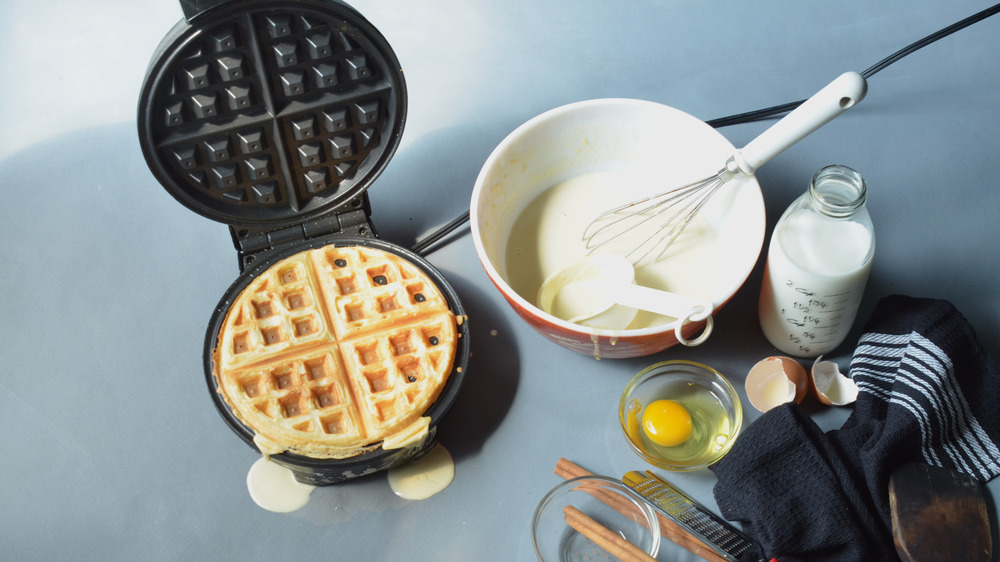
712	402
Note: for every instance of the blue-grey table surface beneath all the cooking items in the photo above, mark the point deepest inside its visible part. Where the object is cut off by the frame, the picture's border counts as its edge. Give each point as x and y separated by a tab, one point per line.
112	448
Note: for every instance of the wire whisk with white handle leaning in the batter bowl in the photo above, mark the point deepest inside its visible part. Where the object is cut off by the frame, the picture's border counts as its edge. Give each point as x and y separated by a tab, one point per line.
667	213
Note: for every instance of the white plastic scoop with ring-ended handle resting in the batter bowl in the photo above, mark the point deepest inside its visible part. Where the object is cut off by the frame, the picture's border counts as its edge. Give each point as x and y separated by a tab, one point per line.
600	292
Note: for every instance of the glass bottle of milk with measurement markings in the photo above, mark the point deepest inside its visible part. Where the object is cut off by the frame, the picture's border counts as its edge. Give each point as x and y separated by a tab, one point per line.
817	265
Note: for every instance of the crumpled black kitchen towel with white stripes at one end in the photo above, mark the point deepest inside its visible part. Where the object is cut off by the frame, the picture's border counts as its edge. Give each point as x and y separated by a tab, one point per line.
928	392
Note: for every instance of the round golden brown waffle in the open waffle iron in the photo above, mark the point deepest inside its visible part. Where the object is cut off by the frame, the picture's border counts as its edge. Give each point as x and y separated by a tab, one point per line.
333	351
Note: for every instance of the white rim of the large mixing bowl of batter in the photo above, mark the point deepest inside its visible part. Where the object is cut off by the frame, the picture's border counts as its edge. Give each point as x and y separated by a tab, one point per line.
515	137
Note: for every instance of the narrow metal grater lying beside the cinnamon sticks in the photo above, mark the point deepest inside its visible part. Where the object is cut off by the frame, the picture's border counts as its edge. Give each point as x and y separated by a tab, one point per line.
716	533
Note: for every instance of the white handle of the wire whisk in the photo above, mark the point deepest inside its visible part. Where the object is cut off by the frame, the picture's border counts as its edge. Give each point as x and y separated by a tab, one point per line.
835	98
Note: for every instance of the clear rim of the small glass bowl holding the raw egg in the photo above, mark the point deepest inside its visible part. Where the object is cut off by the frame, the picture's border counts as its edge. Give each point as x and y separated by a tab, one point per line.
716	376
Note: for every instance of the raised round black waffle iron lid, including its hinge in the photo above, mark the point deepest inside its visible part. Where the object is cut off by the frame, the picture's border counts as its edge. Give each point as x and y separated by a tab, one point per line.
272	116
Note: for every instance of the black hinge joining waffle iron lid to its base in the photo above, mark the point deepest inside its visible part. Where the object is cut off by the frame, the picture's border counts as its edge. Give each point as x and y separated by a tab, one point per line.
252	244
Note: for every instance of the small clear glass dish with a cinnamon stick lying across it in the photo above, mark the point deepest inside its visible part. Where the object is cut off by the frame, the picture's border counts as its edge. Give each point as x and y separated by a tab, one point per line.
608	502
